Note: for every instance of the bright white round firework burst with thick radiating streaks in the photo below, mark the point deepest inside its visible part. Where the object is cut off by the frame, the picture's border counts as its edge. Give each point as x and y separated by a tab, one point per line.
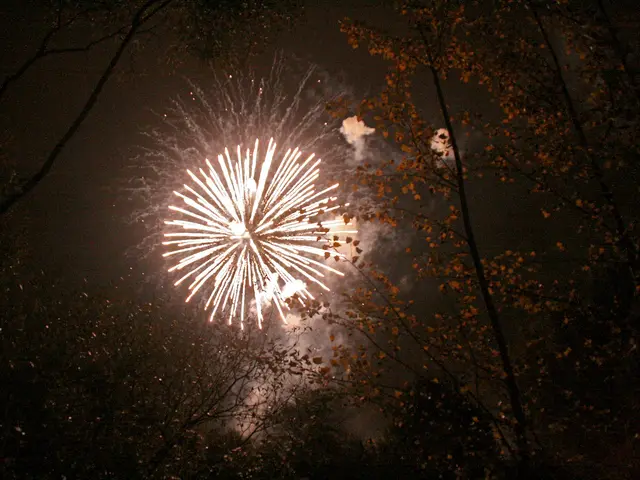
249	234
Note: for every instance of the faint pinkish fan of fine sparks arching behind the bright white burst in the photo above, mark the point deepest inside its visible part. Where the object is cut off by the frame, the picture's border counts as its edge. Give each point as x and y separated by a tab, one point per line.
286	102
